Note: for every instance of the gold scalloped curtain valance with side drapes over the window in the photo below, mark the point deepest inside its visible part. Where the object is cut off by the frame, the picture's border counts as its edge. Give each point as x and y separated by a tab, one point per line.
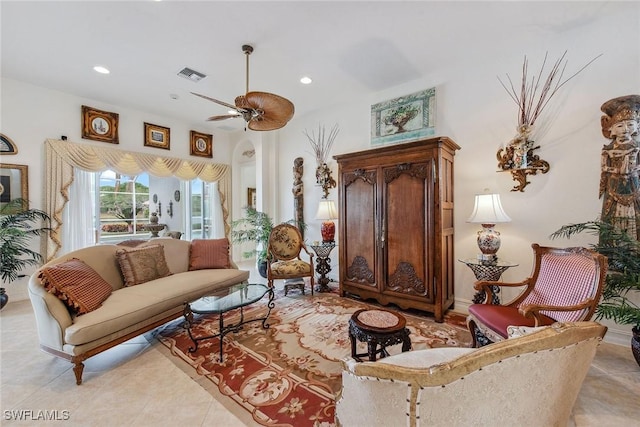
63	156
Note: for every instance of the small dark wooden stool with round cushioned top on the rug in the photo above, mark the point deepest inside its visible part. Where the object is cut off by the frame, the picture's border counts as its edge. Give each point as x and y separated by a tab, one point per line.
377	328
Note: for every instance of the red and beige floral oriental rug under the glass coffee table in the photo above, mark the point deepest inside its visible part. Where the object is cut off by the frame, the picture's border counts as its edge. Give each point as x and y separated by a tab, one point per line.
289	374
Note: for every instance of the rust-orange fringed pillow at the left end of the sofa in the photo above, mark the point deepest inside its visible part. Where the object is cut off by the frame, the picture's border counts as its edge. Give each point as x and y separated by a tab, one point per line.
79	286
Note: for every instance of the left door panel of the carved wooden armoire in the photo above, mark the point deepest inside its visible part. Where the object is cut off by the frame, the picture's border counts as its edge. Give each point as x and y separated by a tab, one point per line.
360	228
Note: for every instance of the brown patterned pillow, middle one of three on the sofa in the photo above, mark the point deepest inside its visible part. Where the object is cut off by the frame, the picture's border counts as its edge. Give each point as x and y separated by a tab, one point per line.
142	264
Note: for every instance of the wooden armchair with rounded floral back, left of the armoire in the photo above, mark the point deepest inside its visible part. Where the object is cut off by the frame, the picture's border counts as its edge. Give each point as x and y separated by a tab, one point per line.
283	255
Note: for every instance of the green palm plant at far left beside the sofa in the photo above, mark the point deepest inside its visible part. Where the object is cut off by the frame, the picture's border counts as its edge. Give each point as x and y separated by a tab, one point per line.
18	225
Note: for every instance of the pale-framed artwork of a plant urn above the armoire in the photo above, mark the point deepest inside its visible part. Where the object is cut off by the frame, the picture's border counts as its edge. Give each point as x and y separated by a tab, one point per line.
404	119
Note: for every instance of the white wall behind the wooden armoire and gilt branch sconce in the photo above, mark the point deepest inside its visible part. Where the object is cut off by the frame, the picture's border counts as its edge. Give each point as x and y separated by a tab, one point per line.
475	111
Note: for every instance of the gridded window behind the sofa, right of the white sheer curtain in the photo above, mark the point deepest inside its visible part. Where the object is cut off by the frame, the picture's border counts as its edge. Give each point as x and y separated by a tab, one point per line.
123	206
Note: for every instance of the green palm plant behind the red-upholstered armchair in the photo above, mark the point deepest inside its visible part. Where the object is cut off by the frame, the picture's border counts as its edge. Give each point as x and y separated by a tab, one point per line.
623	278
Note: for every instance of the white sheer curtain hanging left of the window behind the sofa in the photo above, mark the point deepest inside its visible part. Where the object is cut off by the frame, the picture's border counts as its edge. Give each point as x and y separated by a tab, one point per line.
80	211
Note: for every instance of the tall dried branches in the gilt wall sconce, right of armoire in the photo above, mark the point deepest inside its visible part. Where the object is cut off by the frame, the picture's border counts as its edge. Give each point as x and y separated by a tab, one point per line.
532	98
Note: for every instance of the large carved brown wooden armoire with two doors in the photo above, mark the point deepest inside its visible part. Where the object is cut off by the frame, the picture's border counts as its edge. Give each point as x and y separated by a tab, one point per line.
396	224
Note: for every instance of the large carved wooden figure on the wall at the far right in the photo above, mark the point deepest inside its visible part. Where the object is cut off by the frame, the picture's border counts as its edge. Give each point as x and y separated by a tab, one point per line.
620	173
